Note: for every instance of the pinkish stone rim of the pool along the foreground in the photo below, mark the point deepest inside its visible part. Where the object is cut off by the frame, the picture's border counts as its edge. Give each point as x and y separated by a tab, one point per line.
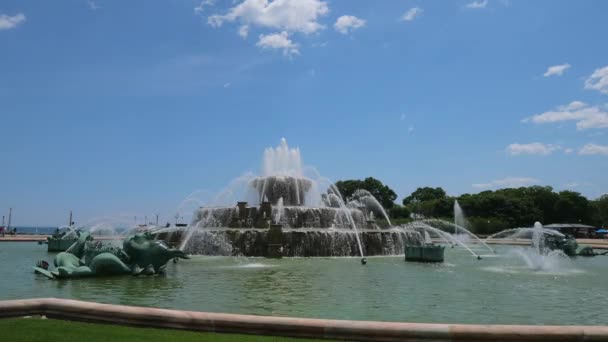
292	327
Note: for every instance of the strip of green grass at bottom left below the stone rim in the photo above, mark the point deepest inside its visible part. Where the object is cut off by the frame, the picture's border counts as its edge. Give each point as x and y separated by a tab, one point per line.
47	330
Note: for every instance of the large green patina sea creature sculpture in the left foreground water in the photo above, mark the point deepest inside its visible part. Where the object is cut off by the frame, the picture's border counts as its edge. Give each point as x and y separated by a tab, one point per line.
140	254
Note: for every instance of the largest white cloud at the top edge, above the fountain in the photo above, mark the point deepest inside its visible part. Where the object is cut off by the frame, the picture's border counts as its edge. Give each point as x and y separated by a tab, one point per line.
286	15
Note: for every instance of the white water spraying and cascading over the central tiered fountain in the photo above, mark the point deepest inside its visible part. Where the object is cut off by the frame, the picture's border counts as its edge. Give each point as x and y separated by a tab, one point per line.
286	192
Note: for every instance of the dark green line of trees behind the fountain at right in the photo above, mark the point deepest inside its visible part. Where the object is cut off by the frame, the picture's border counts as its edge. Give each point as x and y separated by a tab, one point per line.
488	211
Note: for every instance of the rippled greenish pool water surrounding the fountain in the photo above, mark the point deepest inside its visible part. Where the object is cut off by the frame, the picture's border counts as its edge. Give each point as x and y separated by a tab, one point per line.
499	289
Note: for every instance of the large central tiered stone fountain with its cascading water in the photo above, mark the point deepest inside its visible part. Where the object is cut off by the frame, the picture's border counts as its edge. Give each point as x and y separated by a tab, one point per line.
303	214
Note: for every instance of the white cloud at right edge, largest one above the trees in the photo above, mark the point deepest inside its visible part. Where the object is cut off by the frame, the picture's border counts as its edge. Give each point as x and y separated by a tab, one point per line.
586	116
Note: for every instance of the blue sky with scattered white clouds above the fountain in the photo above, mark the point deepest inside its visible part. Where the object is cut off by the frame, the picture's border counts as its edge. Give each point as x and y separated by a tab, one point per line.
126	107
